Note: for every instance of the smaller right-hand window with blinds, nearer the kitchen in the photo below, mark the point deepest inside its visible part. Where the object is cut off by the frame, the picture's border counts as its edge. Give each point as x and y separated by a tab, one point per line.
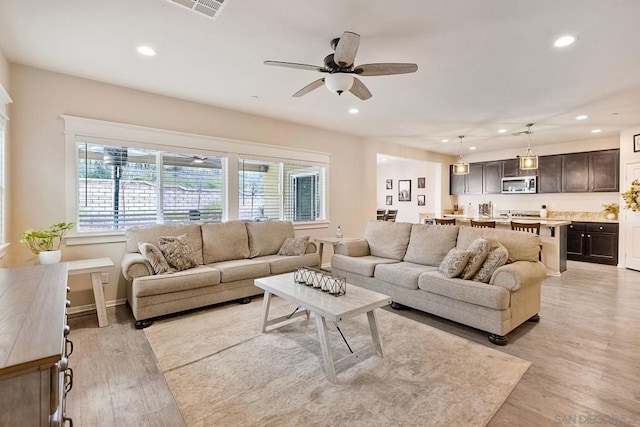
282	191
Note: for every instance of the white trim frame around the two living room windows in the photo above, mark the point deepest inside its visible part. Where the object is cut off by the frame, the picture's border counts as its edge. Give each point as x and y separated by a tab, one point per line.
78	129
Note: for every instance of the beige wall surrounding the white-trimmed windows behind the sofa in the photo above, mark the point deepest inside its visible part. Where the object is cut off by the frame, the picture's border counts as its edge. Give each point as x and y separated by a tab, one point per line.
37	146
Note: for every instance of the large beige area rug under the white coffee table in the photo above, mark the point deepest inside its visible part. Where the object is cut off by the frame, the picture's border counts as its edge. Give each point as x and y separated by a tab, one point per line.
223	372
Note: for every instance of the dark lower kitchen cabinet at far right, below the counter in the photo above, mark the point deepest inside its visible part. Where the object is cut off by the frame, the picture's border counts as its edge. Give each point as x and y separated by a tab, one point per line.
594	242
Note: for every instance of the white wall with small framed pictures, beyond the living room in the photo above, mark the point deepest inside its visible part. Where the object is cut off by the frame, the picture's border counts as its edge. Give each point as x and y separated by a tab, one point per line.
396	169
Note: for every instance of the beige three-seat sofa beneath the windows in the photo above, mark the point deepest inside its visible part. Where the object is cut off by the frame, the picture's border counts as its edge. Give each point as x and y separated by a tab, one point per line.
229	256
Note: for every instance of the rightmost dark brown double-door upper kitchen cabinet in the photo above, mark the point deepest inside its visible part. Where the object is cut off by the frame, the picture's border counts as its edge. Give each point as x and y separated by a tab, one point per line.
591	172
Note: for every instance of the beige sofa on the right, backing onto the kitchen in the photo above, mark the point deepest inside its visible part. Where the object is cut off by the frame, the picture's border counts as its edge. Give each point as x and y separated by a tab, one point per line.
401	260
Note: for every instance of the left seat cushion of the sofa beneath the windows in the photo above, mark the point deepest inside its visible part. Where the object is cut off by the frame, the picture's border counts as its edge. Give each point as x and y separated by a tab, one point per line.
159	284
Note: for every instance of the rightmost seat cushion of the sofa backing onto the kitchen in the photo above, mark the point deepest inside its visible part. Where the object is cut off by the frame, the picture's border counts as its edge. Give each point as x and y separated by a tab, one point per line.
495	297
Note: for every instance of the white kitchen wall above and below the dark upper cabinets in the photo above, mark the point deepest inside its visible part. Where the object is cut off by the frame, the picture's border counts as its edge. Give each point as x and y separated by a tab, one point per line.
574	202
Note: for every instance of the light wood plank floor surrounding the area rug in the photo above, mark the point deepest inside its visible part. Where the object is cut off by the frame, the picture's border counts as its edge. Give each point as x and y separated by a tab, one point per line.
585	355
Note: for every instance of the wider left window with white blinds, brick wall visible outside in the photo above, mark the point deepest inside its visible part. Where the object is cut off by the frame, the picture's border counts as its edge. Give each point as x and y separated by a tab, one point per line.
121	187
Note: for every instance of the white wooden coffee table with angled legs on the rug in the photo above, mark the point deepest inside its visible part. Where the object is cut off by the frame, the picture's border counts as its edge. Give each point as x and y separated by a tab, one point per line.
326	307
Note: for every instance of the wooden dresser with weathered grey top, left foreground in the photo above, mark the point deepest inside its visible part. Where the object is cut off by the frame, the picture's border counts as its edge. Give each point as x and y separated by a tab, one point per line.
34	349
